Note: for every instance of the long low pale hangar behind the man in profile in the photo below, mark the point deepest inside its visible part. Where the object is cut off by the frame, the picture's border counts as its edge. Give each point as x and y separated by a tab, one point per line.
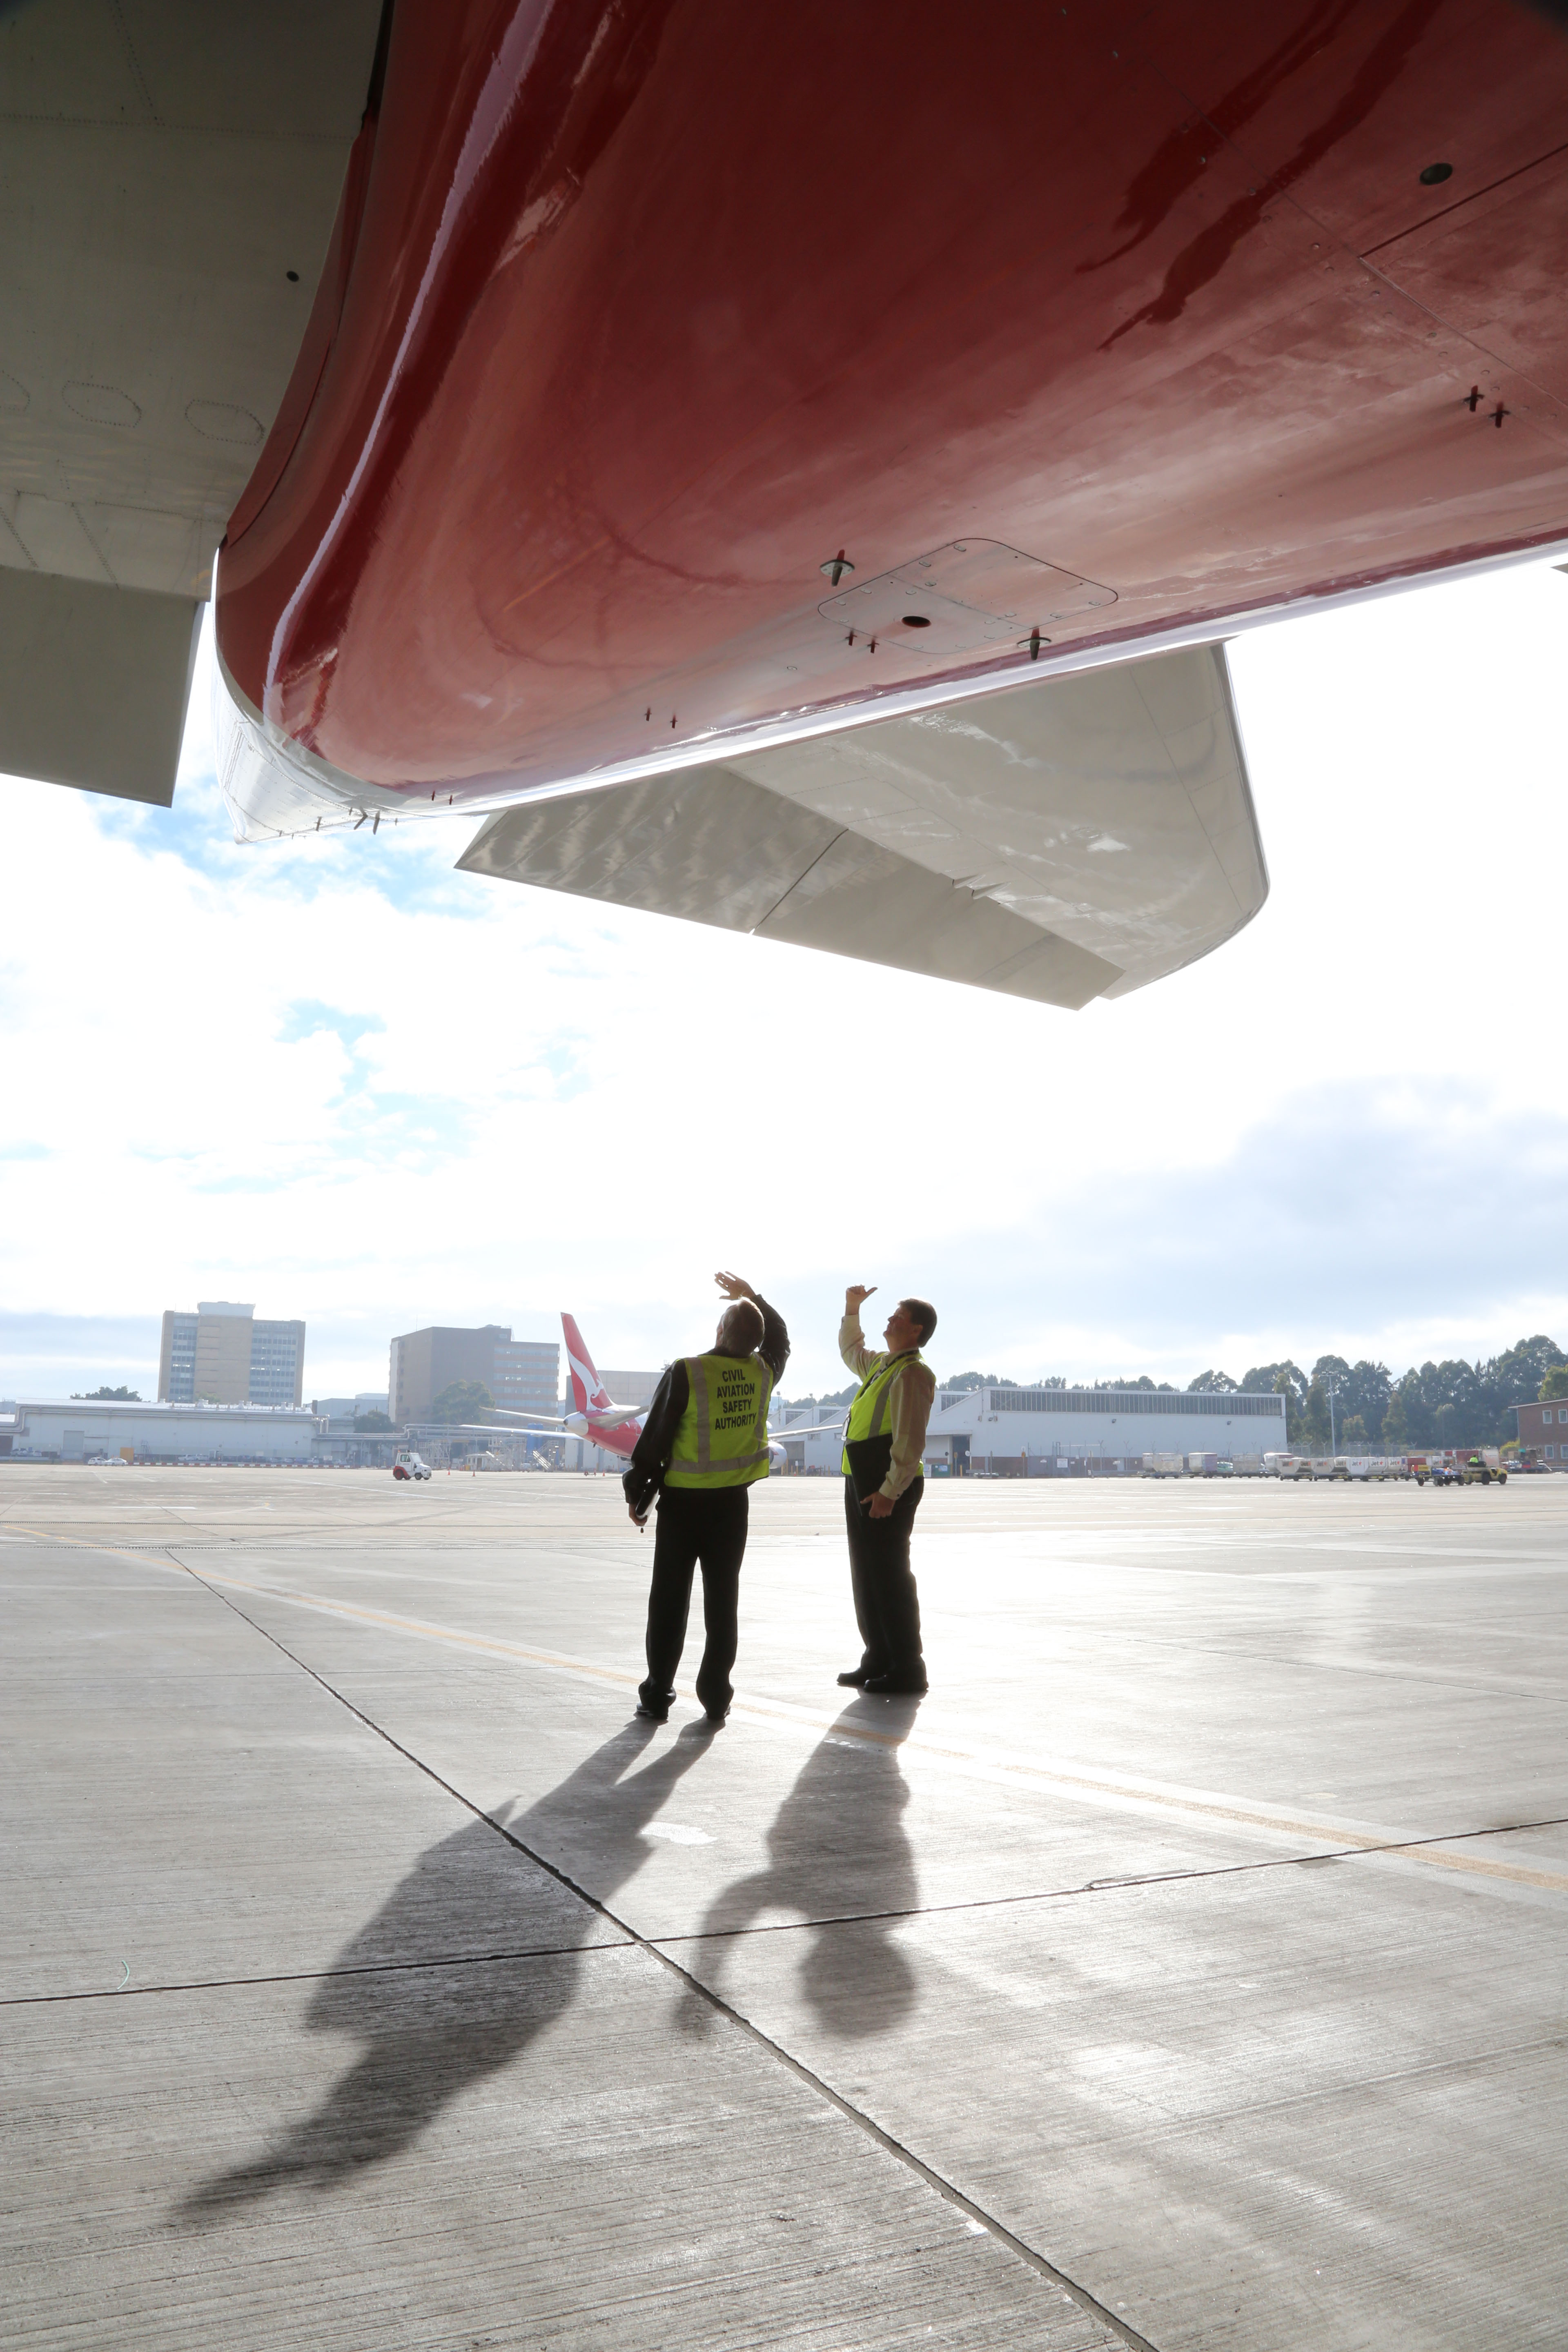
1064	1431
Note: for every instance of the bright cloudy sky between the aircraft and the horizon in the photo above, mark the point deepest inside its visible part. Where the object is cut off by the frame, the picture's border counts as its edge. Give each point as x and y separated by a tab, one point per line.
351	1085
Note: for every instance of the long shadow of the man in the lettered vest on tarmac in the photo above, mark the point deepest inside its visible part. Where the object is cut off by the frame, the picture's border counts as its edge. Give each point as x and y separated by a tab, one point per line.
434	2031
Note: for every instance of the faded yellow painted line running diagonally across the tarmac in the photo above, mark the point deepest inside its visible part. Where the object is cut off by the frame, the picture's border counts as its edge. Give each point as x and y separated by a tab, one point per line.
993	1765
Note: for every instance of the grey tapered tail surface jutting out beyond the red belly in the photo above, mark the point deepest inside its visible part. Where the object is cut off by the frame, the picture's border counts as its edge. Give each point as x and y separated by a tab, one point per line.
1059	841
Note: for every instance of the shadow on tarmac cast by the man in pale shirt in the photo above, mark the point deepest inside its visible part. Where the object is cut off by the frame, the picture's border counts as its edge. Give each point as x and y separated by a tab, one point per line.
838	1855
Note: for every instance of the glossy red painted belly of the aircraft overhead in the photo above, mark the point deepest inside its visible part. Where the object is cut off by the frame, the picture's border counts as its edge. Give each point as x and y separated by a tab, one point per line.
638	314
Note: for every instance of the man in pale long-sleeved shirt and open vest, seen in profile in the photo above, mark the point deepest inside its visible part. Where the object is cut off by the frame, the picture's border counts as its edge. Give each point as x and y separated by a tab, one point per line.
885	1478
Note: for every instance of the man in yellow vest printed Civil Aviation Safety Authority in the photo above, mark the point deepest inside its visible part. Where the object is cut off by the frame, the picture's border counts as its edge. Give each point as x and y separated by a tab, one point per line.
704	1443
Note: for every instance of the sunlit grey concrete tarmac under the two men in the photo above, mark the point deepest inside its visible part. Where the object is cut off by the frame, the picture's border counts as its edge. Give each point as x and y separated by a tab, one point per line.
1188	1970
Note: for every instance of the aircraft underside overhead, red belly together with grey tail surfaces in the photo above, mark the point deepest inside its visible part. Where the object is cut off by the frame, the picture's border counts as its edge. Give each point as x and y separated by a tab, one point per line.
784	469
